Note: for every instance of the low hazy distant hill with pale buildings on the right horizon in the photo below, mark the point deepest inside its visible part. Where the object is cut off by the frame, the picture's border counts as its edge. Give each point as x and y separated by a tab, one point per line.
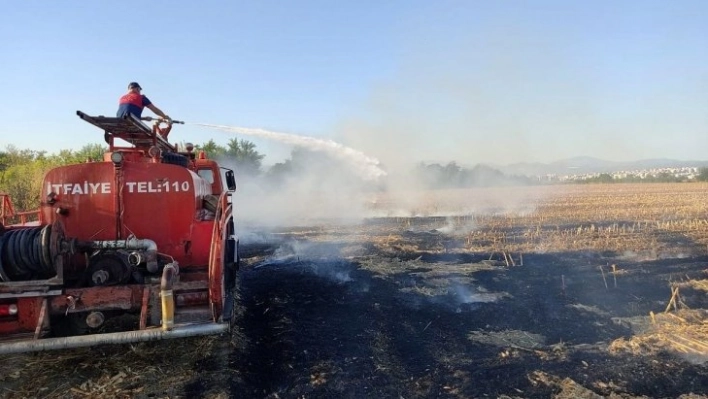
581	165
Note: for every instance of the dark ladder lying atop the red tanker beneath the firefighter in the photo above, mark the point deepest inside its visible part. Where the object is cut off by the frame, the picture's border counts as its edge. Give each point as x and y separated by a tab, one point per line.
130	129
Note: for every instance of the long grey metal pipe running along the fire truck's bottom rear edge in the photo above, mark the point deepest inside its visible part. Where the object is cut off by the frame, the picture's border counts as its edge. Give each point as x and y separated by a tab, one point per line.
79	341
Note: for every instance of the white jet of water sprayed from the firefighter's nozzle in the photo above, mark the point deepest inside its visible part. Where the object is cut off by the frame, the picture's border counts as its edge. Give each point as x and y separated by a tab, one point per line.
365	166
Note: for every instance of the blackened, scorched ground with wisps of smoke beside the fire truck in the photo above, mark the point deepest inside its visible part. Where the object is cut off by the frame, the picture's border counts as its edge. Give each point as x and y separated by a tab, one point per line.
387	324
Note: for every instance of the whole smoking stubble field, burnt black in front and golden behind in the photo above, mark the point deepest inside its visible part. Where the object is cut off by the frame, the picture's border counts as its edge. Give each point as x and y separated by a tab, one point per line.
579	291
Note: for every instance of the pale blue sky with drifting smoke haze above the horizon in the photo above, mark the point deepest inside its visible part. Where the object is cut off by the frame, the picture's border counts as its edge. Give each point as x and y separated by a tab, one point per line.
470	81
